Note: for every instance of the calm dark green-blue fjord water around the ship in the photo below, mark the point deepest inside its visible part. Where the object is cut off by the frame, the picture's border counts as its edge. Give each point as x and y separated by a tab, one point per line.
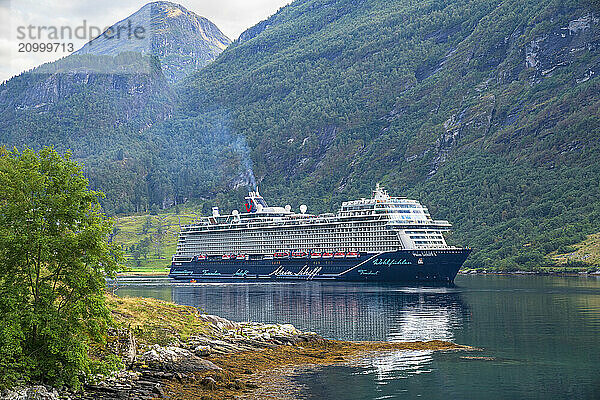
539	337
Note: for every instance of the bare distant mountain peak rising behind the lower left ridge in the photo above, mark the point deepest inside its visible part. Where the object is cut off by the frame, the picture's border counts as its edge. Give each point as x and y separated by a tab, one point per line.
182	40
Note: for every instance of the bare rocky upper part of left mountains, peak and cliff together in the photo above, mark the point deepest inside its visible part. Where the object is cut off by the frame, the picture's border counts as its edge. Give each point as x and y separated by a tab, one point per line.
138	57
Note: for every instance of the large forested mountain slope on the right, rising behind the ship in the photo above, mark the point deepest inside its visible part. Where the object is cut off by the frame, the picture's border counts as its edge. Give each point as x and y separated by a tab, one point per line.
485	110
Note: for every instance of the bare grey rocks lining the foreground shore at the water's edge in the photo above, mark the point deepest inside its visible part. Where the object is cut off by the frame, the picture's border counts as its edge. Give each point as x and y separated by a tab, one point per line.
146	368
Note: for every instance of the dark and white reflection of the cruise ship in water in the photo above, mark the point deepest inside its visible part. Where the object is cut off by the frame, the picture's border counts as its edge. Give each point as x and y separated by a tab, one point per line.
339	311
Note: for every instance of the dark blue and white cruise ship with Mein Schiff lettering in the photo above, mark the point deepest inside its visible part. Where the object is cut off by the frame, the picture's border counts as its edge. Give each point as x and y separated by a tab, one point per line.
382	238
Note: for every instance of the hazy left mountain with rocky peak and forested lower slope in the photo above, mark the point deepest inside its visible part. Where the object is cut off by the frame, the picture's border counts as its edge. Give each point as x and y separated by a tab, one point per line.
102	101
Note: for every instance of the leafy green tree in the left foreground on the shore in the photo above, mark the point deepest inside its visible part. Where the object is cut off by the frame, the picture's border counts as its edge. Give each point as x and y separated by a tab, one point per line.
54	256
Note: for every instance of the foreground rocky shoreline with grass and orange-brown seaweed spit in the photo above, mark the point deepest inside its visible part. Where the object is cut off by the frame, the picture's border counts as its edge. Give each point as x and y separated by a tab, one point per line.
220	360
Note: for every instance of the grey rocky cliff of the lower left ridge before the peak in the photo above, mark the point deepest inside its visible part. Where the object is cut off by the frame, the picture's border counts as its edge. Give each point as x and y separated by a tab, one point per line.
131	82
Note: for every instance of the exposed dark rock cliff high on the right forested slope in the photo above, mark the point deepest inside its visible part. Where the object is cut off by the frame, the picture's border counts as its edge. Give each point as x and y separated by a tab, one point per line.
567	48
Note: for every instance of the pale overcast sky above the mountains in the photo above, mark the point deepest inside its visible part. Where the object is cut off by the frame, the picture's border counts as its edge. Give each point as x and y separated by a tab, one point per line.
231	16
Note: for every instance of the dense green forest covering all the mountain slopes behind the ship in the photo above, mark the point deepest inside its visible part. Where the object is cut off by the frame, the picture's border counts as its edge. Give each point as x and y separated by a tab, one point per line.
486	111
